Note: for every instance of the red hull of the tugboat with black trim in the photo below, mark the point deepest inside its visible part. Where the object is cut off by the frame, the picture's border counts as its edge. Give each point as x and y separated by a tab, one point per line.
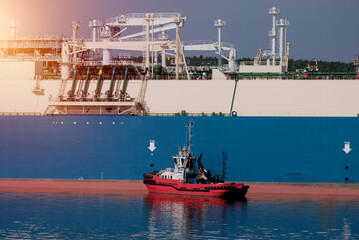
171	186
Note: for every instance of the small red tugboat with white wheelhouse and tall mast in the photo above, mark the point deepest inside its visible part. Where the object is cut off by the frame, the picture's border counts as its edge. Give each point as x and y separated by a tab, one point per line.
190	179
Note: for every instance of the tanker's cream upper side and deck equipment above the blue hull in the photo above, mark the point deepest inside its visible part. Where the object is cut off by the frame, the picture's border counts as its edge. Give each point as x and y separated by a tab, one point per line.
66	75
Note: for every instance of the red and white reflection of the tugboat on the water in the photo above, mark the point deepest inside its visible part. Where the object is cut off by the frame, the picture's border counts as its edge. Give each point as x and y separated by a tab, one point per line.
185	217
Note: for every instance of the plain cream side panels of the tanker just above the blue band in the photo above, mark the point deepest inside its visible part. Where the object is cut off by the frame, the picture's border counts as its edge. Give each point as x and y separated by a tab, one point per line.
252	97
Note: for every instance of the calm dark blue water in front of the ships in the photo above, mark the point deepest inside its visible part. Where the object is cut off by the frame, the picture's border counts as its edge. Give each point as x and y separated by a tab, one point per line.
28	214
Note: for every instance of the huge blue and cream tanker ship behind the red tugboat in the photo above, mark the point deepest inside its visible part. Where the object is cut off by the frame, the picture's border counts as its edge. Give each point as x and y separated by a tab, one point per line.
68	113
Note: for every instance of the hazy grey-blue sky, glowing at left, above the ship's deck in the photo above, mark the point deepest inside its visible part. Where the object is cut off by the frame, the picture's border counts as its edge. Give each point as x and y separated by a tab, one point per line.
321	29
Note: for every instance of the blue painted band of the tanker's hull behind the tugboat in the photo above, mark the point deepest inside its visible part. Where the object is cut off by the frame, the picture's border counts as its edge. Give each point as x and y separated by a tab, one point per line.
261	149
